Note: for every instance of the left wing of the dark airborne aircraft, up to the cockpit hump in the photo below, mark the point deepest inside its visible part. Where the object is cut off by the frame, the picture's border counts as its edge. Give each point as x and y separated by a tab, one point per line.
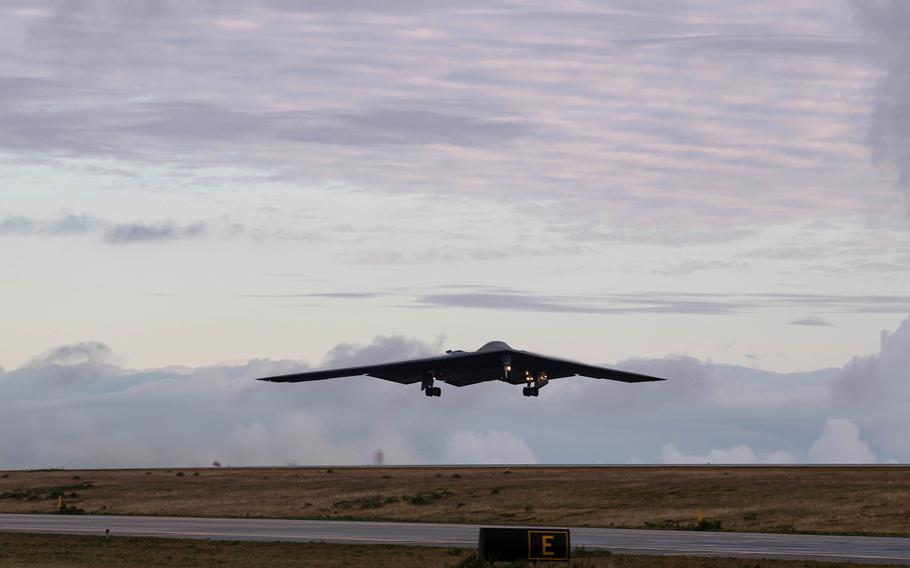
404	372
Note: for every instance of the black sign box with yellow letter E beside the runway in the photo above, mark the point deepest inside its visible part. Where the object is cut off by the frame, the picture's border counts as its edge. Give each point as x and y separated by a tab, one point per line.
509	545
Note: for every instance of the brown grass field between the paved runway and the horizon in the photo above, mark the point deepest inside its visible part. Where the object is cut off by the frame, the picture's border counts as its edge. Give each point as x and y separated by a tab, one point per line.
776	499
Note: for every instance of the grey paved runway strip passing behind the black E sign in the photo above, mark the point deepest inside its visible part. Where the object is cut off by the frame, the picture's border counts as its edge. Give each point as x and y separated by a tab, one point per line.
624	541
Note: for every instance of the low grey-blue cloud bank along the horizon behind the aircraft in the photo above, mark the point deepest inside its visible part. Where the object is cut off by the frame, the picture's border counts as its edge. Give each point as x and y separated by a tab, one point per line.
74	407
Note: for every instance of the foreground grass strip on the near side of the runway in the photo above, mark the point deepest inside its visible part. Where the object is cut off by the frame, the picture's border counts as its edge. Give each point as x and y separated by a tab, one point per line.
45	551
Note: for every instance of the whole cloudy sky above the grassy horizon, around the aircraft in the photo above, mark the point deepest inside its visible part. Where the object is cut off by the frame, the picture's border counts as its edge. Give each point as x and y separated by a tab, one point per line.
193	194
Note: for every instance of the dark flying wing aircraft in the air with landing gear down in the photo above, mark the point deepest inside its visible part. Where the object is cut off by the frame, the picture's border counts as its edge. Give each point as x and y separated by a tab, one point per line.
494	361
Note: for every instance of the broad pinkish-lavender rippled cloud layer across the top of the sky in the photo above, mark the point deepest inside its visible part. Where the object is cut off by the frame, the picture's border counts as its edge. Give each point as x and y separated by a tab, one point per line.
671	120
